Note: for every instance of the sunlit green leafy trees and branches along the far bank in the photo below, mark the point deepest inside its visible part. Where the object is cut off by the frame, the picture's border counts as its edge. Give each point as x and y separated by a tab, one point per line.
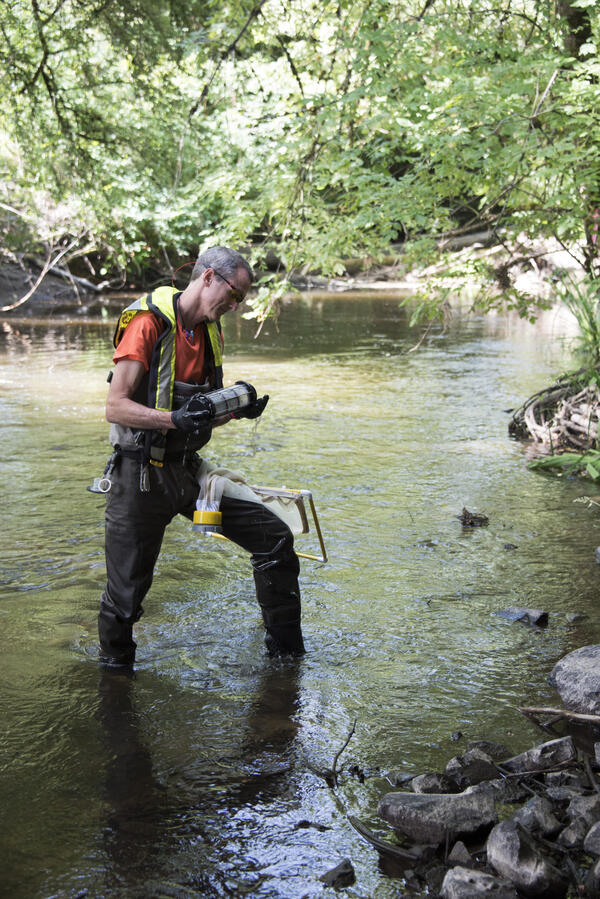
307	132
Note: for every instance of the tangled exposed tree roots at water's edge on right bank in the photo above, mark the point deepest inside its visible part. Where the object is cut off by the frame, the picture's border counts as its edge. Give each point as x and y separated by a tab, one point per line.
563	416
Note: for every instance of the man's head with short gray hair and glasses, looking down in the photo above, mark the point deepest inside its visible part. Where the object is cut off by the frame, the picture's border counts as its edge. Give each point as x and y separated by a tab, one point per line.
220	281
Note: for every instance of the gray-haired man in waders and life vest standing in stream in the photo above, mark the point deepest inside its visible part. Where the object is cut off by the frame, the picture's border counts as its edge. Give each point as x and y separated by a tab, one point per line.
168	347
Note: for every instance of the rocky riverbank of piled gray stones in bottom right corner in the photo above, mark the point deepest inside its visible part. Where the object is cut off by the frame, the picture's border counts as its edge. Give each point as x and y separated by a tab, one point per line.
491	824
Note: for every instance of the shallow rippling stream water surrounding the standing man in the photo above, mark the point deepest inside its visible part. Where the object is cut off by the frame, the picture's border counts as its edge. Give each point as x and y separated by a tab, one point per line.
202	775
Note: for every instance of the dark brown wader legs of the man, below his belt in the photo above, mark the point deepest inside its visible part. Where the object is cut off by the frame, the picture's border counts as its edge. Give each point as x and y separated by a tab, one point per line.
135	525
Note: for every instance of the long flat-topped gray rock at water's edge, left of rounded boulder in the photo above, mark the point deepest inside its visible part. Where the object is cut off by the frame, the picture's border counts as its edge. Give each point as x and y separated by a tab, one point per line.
431	818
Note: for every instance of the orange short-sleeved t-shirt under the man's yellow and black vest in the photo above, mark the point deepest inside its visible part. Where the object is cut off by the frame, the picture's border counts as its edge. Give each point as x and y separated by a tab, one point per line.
141	334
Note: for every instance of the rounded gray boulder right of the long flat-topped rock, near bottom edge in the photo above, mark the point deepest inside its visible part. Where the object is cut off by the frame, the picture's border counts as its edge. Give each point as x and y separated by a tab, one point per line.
514	855
